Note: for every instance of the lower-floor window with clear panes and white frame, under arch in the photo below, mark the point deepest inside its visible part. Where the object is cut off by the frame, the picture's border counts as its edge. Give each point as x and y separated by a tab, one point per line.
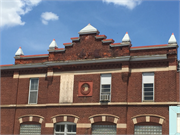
65	128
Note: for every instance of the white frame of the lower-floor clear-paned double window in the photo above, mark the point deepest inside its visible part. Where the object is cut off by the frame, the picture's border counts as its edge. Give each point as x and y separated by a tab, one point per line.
65	128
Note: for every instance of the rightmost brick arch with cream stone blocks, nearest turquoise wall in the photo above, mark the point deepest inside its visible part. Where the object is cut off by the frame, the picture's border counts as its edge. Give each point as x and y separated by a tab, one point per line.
148	118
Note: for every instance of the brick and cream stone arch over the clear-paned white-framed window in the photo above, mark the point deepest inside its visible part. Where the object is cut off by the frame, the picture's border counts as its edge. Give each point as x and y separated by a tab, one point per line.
65	117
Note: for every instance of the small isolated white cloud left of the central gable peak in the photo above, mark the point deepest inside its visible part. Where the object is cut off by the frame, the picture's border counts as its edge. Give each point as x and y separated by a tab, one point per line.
47	16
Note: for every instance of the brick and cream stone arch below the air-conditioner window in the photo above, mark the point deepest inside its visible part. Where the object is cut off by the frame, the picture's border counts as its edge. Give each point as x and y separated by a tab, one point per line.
104	118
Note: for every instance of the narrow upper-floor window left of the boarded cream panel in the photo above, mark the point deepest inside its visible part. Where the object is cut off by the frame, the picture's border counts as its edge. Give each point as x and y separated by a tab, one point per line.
33	90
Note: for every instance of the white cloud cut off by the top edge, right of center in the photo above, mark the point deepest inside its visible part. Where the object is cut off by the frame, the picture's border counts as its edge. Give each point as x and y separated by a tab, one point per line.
127	3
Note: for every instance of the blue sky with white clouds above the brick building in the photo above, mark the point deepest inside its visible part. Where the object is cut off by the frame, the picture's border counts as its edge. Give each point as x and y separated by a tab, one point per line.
33	24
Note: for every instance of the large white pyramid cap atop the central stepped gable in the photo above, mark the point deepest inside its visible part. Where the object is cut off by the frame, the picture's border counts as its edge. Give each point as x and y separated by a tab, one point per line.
89	29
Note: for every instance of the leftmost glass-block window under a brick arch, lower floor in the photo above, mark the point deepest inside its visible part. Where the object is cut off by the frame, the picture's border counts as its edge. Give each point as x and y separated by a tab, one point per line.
30	129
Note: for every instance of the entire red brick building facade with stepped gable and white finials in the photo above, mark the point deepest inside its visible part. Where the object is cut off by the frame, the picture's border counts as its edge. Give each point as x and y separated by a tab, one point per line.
91	86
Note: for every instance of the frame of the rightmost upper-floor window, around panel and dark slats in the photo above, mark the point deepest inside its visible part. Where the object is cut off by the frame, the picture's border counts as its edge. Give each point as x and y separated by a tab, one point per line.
143	100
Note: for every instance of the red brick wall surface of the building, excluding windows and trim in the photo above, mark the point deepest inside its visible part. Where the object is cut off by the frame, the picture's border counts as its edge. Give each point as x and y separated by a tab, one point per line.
125	87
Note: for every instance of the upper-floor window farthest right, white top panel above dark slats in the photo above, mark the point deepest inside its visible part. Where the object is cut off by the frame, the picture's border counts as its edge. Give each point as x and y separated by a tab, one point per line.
148	86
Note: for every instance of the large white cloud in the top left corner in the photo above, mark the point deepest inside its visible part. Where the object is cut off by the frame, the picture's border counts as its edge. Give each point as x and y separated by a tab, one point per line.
12	10
